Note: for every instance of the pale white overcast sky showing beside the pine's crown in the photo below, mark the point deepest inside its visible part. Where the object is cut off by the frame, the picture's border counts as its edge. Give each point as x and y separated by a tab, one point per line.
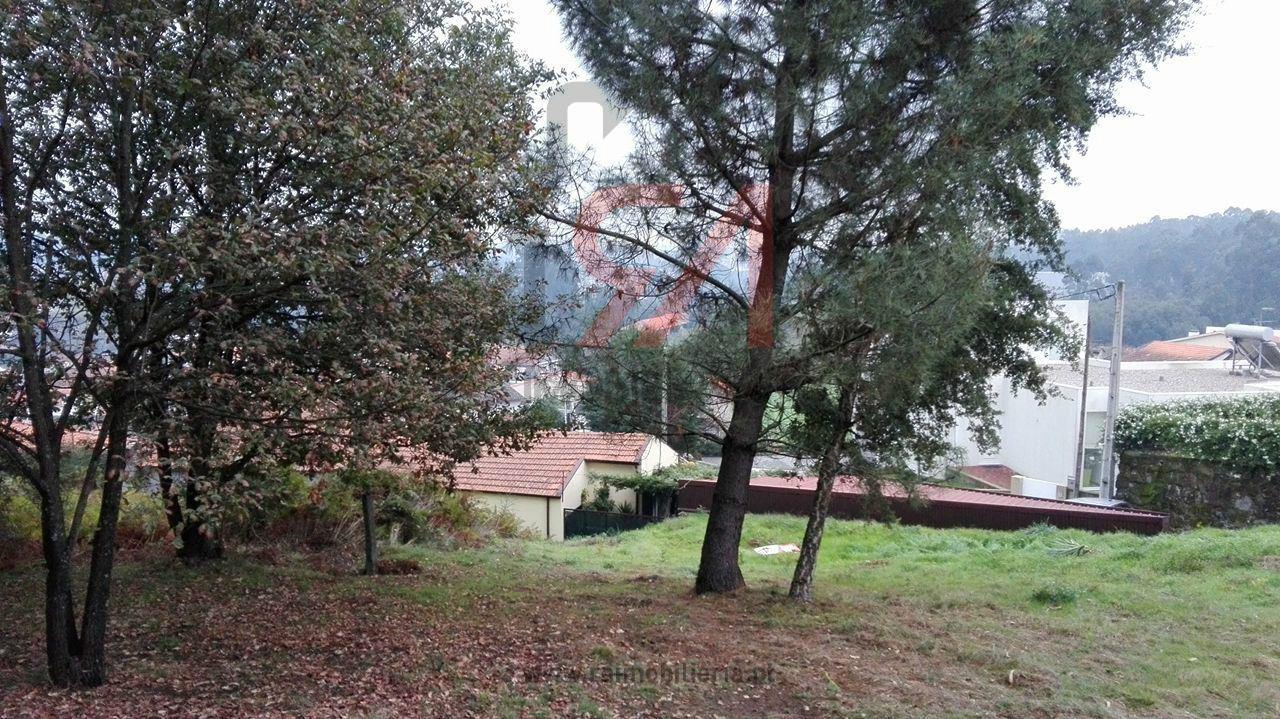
1201	136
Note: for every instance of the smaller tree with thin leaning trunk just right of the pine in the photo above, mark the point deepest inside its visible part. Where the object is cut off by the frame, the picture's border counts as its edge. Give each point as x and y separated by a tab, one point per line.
935	324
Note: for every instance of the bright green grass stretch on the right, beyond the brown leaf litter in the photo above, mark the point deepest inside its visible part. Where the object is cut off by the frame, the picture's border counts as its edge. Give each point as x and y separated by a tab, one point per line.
1178	625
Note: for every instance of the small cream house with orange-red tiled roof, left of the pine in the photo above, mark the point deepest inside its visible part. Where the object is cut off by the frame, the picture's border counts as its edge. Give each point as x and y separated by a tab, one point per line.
538	486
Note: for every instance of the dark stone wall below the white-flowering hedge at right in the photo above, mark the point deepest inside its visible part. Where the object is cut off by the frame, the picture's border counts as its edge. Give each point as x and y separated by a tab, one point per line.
1197	493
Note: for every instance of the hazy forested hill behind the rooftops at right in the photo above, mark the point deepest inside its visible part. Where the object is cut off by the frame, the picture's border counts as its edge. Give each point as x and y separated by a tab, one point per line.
1185	274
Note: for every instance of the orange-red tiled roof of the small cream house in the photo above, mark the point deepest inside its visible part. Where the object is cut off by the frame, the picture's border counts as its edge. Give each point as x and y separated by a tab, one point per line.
545	469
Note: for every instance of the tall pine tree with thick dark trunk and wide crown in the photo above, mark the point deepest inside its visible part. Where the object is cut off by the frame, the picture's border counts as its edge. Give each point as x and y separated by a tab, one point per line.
872	125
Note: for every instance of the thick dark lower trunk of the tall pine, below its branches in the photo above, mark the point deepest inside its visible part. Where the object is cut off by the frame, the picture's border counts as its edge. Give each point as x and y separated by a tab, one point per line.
719	571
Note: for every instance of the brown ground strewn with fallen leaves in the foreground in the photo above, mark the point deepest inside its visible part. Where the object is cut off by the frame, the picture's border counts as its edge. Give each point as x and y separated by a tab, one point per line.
249	638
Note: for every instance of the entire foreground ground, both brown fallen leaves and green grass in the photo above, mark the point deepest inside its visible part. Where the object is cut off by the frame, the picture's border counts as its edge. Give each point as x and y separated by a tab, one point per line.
911	624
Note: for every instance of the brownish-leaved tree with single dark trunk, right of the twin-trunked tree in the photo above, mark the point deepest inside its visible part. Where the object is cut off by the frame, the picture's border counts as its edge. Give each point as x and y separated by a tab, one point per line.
380	230
